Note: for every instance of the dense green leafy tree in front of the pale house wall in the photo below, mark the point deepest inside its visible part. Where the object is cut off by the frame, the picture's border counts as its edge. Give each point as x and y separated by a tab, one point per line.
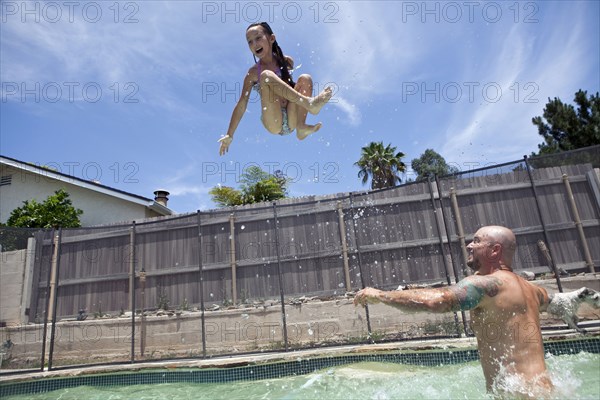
56	211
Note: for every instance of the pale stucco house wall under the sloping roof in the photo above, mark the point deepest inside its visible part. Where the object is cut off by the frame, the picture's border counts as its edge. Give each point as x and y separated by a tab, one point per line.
98	208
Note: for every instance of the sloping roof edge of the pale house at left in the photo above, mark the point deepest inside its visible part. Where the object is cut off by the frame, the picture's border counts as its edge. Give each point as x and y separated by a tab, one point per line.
90	185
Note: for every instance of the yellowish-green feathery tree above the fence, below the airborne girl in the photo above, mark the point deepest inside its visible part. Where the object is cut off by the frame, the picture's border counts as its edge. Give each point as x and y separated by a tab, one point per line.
256	186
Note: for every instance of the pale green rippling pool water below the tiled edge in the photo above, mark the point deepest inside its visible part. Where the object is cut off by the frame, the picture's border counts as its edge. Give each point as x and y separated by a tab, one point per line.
575	377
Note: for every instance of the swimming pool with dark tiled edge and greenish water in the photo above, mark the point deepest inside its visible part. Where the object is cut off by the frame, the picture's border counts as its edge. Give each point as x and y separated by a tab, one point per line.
574	366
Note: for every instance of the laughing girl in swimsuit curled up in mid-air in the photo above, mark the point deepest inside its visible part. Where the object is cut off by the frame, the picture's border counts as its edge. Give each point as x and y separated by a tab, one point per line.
284	103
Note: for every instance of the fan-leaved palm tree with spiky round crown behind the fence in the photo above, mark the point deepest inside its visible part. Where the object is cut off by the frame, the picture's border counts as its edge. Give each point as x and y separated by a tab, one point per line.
380	163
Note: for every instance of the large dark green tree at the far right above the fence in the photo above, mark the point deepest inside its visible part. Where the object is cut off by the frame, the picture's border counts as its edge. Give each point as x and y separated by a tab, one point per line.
564	127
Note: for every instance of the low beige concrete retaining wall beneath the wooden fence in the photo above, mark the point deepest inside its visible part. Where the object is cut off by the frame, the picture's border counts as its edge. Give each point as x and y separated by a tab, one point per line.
253	329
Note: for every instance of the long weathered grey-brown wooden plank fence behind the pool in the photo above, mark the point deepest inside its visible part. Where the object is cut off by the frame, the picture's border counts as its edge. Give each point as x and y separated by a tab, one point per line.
414	233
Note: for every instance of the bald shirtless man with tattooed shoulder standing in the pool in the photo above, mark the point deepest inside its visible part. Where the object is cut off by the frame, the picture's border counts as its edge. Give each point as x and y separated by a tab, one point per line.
504	312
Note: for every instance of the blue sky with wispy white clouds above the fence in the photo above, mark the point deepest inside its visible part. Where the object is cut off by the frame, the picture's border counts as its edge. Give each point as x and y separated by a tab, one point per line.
135	94
